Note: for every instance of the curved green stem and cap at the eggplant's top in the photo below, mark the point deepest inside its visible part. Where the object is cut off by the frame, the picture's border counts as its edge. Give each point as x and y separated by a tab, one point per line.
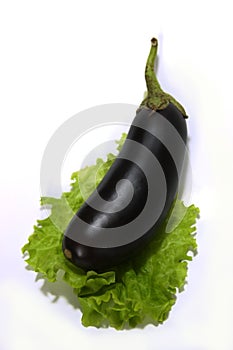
156	98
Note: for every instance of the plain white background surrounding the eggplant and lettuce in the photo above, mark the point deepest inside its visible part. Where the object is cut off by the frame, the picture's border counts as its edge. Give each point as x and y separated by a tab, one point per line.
61	57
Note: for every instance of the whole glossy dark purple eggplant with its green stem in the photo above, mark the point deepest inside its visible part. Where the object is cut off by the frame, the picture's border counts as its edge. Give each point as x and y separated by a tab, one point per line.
131	202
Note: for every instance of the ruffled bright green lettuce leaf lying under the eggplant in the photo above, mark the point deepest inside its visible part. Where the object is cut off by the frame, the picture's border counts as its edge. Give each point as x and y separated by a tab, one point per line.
137	292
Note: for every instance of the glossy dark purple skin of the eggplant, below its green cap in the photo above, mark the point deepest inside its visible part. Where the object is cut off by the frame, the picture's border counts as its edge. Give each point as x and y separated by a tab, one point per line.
101	258
